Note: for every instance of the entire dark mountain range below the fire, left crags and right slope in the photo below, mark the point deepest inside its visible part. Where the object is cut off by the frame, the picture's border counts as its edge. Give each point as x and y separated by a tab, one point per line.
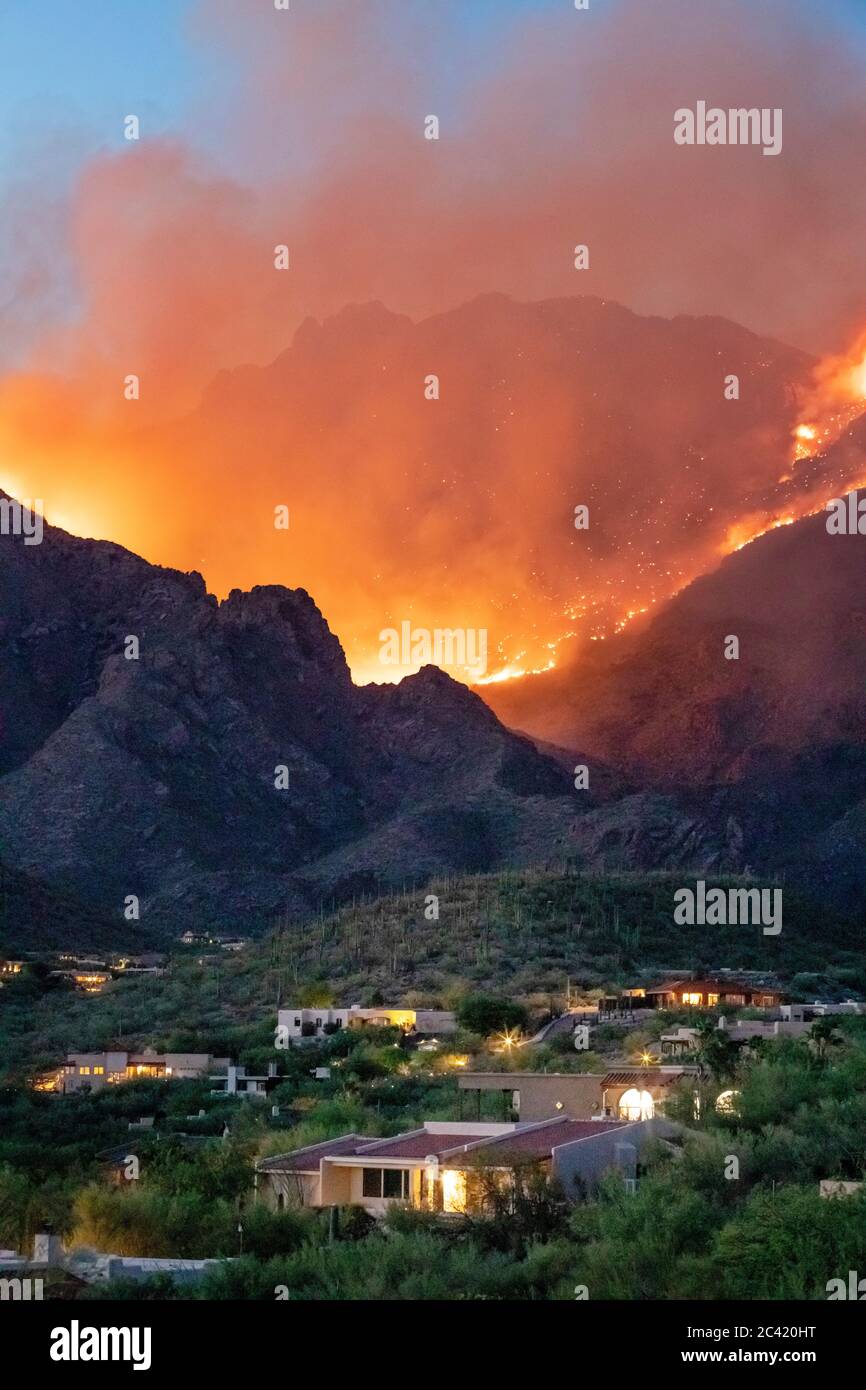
156	776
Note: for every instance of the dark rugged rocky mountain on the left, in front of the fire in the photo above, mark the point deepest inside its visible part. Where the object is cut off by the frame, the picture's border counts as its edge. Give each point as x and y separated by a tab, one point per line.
156	778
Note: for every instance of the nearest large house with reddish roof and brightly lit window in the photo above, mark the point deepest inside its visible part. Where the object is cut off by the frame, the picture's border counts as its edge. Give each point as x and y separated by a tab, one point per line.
444	1166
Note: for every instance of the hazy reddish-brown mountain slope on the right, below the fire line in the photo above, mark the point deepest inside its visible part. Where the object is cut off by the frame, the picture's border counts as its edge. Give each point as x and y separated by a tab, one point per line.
772	744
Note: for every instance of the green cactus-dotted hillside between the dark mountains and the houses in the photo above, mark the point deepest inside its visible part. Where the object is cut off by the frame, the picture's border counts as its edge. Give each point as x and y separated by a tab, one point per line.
526	936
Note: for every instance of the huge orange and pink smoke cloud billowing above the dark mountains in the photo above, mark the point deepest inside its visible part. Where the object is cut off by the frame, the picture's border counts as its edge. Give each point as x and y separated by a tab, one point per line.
262	390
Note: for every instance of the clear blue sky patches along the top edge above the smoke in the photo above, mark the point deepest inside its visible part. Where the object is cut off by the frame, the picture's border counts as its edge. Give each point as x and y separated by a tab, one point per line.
79	66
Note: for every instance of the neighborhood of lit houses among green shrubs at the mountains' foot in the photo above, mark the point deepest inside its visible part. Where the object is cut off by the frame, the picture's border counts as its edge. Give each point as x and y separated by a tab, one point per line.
291	1120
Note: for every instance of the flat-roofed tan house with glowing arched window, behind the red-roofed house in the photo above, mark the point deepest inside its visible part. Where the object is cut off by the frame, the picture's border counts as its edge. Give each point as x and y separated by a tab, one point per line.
537	1096
